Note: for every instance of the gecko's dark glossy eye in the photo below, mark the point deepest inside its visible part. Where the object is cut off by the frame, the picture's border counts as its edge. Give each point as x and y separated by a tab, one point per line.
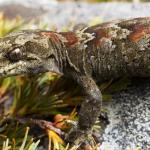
16	54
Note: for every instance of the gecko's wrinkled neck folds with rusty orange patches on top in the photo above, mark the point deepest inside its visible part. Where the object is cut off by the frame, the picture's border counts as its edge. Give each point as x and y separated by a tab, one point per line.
61	44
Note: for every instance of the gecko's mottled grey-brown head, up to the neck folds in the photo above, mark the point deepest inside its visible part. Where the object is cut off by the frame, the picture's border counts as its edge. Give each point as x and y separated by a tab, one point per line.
25	52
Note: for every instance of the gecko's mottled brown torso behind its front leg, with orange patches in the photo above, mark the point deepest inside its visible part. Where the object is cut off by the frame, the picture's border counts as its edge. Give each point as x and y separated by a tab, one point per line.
120	48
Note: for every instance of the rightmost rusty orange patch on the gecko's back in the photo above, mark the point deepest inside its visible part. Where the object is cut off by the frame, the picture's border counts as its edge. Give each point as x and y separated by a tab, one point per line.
139	31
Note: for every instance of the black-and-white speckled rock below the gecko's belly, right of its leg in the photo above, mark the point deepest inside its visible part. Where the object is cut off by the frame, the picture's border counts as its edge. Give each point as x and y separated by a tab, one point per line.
129	119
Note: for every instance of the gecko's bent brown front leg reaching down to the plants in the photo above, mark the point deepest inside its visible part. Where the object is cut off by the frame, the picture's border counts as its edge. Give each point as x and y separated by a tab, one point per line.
89	112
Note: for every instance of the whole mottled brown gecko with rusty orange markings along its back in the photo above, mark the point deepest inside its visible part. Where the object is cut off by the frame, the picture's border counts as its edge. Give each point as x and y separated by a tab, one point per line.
99	53
